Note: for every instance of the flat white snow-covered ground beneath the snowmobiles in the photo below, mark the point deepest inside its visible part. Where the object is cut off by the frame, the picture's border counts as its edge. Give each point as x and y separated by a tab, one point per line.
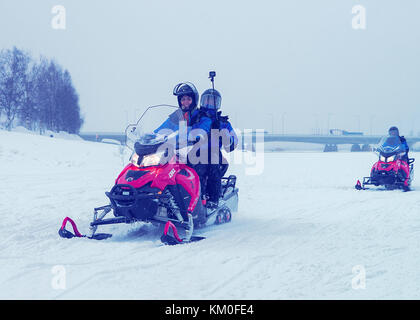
302	232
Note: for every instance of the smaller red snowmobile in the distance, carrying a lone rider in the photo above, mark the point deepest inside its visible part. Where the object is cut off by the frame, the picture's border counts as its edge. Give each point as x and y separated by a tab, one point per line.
394	169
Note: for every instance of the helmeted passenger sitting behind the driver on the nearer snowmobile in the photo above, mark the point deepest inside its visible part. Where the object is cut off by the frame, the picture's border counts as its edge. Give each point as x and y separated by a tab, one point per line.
217	165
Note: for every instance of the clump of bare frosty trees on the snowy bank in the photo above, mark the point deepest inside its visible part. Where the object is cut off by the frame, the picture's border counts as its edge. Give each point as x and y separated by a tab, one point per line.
37	95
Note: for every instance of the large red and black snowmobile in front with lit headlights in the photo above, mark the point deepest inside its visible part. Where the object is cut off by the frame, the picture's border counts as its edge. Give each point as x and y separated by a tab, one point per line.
150	190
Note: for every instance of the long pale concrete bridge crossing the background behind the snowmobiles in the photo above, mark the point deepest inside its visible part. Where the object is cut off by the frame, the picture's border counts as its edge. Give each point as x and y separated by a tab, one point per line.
357	142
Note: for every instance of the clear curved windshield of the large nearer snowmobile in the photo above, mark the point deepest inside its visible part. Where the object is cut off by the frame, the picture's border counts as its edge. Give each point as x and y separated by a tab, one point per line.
154	126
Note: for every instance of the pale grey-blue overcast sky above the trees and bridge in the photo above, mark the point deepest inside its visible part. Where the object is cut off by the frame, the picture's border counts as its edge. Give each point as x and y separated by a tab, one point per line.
295	62
